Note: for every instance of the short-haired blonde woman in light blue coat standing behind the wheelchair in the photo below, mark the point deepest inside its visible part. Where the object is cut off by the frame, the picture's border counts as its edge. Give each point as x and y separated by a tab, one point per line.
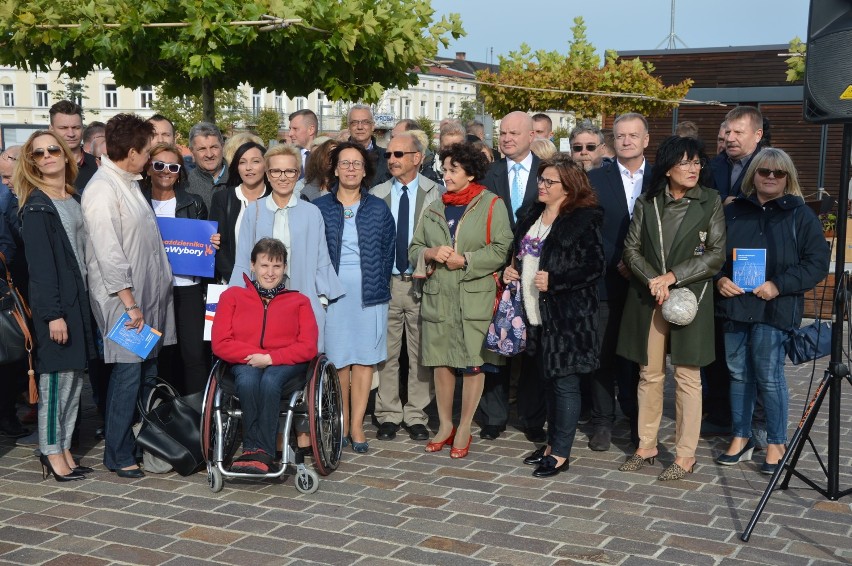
299	225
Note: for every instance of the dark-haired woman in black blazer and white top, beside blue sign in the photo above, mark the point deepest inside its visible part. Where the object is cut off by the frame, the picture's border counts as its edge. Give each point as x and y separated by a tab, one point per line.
246	183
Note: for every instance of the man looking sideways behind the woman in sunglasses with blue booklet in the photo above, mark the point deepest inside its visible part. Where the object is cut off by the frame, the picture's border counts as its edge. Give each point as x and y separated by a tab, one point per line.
743	132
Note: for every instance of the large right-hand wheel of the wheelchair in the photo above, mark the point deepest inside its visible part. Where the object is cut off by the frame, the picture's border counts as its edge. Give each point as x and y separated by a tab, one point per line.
325	413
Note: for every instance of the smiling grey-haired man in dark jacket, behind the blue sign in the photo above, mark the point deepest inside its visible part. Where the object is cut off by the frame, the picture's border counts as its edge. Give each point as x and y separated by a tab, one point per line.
211	170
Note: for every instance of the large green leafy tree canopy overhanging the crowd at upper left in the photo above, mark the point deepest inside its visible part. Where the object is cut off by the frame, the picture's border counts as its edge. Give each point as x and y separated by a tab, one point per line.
350	49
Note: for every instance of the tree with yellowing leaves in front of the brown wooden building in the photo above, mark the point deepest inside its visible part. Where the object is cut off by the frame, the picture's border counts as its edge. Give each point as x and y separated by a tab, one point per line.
579	71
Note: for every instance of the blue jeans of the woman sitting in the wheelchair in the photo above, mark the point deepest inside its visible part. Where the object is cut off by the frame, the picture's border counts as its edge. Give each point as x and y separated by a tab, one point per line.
259	391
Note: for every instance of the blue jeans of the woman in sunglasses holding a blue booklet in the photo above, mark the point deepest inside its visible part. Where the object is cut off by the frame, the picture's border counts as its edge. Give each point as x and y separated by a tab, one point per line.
755	354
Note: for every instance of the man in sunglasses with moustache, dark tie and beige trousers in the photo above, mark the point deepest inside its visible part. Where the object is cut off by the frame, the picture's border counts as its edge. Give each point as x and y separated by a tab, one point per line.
407	194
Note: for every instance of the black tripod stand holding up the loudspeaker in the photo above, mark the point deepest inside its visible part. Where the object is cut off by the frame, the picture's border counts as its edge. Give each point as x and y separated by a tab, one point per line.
831	381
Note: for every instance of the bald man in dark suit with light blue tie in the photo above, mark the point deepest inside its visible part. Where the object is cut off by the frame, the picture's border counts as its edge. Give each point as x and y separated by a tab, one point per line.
514	180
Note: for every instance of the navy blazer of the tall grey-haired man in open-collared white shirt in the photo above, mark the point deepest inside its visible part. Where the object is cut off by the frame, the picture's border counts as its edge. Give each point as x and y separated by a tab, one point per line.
606	181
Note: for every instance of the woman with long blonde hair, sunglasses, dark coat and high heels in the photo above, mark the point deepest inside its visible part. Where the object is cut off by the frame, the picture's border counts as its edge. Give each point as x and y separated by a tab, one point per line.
55	234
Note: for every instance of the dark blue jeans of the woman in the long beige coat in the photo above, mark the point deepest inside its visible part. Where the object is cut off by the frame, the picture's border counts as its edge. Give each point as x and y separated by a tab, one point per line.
123	390
